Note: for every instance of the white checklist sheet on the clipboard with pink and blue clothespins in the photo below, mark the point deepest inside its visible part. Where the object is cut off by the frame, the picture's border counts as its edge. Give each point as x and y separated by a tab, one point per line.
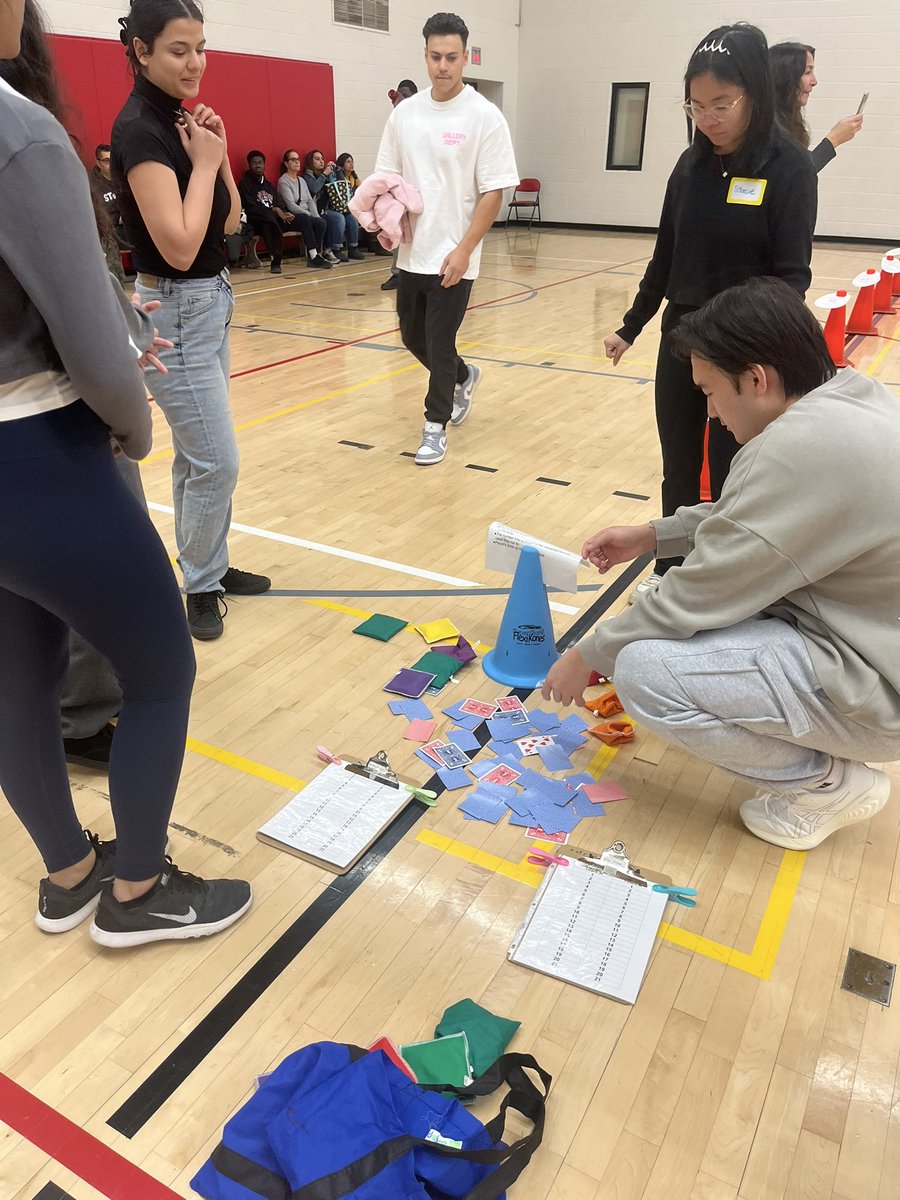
591	929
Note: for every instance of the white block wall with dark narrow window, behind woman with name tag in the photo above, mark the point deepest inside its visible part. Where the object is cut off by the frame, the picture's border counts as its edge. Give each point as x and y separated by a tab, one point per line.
572	52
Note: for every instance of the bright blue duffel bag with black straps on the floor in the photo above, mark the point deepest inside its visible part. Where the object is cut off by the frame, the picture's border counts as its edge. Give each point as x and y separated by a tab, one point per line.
337	1121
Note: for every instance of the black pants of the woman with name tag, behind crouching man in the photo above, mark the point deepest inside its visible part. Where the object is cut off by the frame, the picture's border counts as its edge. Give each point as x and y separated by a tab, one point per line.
682	423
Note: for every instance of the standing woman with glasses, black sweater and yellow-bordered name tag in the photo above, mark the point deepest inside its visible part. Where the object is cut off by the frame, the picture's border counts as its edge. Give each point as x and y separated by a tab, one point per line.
740	203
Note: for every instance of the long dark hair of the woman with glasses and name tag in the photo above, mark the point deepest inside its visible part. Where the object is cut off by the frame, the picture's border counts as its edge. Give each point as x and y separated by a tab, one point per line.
739	55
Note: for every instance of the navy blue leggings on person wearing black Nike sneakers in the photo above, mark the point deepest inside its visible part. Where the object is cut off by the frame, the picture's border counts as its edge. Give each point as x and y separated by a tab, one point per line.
77	549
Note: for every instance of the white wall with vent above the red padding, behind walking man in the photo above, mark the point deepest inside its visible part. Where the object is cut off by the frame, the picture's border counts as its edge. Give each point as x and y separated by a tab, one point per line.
367	64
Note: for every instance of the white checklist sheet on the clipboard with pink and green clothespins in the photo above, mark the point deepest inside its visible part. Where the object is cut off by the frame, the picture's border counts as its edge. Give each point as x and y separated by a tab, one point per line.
335	819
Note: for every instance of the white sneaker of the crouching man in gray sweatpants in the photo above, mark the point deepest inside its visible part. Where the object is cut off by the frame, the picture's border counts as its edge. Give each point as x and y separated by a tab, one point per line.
805	819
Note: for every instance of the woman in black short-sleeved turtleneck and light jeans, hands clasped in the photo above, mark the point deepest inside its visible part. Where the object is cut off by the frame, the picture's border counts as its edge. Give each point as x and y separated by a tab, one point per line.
178	202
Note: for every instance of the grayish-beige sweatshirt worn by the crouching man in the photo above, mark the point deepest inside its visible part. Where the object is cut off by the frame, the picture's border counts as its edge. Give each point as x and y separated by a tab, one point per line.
807	530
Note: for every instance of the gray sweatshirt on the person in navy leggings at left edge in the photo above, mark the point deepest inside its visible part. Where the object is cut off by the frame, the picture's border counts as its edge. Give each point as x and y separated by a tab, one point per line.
61	310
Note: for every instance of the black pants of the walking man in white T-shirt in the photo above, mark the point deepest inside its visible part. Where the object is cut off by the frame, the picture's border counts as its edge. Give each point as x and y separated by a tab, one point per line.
430	317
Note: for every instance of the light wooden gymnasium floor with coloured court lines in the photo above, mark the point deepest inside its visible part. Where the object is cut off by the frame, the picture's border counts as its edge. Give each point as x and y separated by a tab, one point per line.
743	1071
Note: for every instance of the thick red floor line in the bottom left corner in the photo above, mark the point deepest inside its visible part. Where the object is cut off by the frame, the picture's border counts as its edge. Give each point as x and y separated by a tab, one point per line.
75	1149
